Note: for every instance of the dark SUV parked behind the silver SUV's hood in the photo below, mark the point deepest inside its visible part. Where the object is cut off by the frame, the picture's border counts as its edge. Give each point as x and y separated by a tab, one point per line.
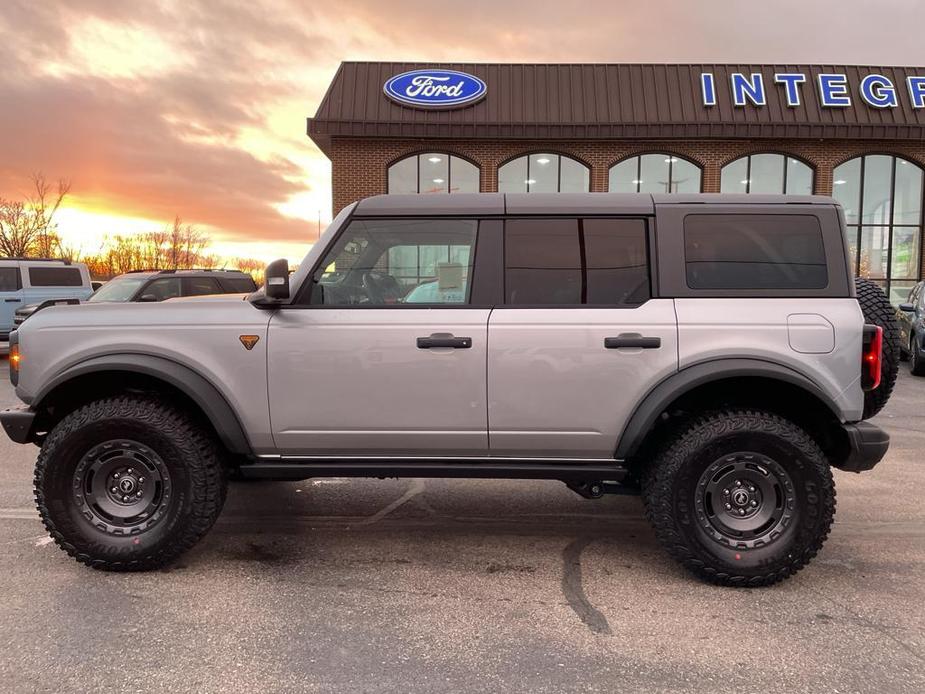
158	285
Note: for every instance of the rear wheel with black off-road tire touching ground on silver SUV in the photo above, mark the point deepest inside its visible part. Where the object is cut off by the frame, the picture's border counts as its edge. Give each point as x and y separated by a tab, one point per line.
704	448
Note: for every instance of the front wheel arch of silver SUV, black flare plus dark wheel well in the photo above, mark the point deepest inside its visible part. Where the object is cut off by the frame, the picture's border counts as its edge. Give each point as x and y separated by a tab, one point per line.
112	373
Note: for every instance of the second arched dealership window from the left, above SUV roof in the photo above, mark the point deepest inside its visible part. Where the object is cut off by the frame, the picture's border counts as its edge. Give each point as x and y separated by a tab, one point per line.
544	173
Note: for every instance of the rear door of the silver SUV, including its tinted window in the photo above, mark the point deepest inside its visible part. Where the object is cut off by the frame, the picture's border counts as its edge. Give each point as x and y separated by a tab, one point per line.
578	341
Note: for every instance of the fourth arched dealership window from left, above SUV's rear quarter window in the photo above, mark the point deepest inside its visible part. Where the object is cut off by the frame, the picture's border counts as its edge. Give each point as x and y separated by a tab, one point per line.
767	173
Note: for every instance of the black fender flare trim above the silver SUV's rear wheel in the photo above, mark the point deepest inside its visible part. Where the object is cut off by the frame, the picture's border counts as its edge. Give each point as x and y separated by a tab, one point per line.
662	395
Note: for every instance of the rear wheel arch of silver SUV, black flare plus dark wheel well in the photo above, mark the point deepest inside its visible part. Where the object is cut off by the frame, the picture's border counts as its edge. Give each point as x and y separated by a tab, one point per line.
733	381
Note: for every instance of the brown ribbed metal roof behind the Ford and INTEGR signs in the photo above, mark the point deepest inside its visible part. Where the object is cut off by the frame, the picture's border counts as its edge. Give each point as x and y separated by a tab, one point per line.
611	101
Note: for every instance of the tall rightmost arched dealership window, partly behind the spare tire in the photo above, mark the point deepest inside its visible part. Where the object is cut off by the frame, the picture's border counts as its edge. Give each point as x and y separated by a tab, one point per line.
882	198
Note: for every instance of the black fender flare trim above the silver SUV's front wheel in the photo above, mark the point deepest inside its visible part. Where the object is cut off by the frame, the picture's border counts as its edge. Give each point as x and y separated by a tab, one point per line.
201	391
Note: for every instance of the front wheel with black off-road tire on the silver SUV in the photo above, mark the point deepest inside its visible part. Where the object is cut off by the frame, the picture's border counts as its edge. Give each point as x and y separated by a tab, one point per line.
162	442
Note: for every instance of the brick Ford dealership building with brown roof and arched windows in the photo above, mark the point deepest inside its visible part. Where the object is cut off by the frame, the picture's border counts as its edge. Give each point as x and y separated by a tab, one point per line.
854	132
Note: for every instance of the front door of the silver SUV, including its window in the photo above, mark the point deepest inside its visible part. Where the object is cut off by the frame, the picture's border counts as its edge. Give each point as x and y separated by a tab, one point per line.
383	353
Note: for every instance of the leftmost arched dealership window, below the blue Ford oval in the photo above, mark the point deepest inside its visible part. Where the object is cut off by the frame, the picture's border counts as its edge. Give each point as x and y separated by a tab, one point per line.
433	172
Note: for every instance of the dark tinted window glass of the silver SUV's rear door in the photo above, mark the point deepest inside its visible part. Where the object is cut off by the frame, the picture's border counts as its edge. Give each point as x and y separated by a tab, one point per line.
575	262
